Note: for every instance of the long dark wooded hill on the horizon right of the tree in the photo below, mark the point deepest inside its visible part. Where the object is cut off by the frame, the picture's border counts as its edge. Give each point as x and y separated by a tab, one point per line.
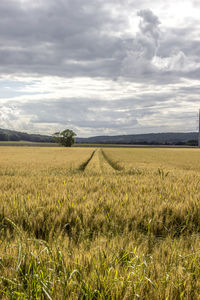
170	138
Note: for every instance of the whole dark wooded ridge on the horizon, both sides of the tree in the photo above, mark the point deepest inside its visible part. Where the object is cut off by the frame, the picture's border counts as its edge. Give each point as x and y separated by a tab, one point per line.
169	138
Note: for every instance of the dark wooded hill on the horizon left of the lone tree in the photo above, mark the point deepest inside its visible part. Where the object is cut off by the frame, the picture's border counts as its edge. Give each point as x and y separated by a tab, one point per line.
10	135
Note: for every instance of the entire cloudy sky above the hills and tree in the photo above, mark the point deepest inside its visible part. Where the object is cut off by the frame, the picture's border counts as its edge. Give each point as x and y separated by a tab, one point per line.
99	67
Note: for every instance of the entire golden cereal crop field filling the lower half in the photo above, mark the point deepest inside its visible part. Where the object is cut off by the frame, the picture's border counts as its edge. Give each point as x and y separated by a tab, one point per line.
91	223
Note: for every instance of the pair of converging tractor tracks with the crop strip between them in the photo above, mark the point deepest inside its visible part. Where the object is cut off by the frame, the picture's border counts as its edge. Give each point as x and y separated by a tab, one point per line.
99	162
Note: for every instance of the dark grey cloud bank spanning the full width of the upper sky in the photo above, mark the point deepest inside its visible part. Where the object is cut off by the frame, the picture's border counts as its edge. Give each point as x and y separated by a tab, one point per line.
83	38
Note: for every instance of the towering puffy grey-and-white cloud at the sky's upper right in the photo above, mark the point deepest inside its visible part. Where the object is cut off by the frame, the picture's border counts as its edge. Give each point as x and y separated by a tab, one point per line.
149	60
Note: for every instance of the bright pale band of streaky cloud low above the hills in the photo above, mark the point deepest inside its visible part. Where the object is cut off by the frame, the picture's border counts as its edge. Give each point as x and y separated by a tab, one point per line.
147	111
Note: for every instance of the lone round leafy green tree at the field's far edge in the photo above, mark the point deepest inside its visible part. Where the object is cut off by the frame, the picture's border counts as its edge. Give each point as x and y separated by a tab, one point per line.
65	138
